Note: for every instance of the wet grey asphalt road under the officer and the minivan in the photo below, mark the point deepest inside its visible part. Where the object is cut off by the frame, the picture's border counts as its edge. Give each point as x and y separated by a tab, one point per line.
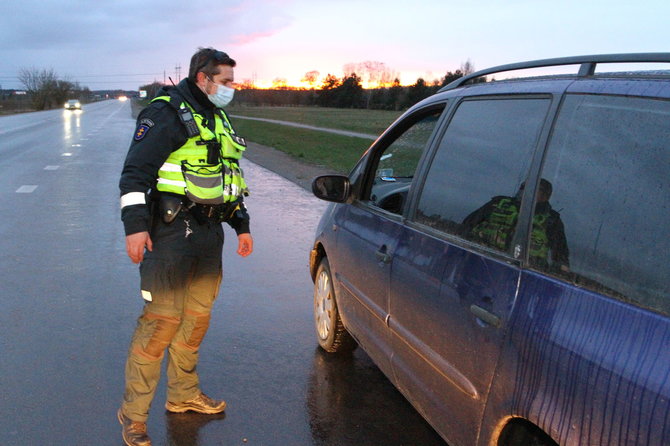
70	298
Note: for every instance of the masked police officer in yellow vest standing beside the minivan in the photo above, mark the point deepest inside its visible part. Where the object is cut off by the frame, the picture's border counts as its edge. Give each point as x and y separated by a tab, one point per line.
181	179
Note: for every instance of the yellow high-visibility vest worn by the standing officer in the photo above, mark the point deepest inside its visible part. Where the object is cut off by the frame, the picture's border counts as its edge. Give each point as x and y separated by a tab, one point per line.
188	172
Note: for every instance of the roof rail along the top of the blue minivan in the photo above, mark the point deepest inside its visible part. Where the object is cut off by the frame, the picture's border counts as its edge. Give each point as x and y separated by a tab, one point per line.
587	65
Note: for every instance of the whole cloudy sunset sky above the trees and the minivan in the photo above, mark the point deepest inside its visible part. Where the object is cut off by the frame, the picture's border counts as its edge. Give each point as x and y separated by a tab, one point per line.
124	44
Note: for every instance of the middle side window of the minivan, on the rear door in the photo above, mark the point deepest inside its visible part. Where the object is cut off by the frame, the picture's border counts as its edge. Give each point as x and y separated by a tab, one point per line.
474	186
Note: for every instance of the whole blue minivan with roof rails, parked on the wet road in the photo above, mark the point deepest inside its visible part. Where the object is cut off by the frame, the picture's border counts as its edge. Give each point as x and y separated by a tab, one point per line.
501	252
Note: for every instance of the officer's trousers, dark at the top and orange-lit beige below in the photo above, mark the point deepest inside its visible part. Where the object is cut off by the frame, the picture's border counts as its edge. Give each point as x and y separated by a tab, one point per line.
180	280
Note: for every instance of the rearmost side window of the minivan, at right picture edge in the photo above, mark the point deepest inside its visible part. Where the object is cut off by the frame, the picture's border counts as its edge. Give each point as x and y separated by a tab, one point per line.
608	162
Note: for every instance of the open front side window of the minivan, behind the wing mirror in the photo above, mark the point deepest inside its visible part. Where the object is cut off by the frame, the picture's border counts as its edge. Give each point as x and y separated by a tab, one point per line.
396	164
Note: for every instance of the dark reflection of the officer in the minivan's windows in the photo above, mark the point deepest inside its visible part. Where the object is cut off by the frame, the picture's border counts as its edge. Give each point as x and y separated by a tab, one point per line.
494	224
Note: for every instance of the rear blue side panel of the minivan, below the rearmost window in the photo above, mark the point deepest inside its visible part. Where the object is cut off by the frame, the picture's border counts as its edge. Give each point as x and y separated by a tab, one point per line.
585	368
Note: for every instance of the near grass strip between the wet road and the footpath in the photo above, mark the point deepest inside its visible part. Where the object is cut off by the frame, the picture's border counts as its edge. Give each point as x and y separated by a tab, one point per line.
336	152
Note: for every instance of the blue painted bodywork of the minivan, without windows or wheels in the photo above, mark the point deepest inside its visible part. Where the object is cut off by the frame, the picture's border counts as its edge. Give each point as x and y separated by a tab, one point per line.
476	339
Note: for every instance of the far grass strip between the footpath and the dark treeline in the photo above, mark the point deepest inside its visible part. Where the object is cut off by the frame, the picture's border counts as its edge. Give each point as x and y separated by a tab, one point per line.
372	122
